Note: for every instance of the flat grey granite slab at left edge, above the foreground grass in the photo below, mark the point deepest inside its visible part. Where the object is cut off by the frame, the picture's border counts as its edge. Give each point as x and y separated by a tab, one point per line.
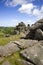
8	49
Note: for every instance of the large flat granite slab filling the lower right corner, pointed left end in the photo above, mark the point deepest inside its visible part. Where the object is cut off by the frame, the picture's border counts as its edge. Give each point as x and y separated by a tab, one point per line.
34	54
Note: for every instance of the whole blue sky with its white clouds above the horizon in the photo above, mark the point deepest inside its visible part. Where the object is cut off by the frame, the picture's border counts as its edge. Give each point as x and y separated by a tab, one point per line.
14	11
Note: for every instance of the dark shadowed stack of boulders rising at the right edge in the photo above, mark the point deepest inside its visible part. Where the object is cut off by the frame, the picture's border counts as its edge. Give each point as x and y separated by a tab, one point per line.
36	31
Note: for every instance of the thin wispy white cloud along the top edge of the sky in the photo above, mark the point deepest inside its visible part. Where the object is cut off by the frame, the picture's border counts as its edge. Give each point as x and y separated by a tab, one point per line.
16	2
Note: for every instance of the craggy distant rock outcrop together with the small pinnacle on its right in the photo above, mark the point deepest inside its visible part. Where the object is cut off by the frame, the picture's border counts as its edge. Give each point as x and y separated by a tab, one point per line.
21	28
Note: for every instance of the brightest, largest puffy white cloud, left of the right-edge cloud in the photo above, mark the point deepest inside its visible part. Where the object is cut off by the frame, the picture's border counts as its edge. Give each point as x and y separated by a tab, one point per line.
27	8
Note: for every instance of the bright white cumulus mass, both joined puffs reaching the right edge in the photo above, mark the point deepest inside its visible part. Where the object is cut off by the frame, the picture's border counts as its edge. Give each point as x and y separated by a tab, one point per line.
32	9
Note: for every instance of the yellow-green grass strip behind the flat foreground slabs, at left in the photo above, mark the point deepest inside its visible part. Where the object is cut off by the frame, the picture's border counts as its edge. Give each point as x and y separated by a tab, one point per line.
5	40
